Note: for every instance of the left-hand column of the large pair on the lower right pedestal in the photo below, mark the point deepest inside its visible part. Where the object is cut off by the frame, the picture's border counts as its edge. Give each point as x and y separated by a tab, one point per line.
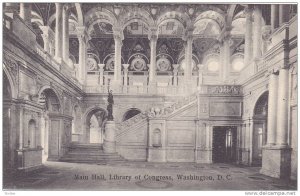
272	108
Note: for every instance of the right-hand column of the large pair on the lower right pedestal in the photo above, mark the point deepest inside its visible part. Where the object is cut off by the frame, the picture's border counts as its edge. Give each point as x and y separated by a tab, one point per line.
282	110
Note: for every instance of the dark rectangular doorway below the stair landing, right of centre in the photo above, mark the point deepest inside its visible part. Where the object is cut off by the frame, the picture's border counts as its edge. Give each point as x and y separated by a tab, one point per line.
224	144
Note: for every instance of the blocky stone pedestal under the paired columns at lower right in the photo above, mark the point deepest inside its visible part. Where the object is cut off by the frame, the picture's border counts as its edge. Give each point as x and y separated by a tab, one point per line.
276	161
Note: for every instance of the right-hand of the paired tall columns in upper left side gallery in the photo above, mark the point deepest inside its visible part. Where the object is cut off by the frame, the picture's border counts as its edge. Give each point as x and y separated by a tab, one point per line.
65	41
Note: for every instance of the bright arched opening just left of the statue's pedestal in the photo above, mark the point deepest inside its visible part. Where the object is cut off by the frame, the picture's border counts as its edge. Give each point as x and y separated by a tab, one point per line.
95	122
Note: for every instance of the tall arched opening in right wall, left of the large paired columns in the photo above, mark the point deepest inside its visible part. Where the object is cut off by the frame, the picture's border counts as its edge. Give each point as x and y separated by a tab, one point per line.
259	128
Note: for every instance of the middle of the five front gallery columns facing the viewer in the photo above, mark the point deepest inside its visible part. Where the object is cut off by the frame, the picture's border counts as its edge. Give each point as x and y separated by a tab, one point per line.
153	42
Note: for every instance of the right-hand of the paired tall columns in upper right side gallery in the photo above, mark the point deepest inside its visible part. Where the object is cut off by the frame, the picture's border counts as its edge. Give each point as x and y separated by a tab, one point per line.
257	32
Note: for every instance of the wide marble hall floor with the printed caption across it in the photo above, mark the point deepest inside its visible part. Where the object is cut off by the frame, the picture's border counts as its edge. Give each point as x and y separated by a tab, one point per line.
145	176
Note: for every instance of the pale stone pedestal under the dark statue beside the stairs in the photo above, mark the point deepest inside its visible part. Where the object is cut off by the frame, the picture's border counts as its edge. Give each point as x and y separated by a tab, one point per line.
109	144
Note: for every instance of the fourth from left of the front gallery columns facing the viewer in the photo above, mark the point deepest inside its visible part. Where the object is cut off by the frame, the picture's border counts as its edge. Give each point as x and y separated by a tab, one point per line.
188	57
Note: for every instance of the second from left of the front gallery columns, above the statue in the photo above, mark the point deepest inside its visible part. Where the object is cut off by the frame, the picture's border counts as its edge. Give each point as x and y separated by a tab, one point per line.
118	37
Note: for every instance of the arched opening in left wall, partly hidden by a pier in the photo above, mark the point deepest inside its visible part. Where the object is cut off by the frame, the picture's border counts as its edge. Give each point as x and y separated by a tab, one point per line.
51	103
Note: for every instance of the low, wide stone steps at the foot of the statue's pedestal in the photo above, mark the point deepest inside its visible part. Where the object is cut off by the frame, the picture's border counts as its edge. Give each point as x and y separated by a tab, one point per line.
89	153
